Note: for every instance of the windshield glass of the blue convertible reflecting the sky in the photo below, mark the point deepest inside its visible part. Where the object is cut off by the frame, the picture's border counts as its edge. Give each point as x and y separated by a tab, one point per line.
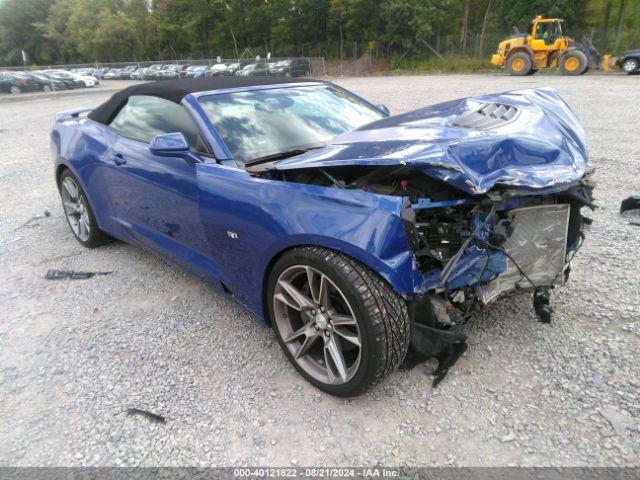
263	123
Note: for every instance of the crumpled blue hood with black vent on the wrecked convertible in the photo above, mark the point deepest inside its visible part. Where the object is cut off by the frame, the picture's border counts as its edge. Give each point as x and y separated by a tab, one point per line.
542	145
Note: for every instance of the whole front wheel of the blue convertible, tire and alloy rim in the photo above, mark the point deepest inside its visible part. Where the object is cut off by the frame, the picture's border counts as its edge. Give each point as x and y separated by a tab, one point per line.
340	324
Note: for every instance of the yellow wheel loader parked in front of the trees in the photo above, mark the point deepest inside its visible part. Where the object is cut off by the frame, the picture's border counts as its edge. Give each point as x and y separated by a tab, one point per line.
545	46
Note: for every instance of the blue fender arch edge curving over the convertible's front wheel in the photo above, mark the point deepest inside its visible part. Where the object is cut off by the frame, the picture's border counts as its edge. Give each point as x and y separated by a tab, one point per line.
397	277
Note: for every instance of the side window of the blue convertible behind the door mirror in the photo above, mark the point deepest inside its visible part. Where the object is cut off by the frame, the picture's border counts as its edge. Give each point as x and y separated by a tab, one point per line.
144	117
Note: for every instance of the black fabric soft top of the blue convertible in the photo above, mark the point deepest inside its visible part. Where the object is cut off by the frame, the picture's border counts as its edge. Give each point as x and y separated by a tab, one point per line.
176	90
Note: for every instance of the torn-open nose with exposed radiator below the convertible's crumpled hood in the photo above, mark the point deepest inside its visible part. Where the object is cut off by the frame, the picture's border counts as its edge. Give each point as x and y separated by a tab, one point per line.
474	253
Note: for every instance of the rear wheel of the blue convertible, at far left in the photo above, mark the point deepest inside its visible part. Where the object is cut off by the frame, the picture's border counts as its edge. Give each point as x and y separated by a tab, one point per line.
79	213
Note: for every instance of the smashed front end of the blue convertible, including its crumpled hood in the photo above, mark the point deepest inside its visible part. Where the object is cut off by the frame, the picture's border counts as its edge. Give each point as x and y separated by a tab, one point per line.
493	189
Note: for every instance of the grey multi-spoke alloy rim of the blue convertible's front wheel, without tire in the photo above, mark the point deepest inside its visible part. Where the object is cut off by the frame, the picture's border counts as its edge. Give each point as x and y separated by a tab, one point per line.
317	325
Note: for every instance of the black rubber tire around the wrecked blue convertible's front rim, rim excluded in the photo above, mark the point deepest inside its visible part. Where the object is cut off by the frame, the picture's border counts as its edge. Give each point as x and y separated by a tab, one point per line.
381	314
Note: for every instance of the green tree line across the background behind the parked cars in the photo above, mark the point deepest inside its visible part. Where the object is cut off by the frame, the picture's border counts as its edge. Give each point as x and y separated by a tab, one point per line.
405	31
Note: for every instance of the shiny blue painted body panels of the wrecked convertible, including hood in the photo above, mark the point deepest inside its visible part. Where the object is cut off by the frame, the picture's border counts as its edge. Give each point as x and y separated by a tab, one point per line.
215	220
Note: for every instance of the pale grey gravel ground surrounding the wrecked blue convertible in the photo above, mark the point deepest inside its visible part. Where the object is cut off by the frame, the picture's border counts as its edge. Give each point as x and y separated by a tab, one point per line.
74	355
